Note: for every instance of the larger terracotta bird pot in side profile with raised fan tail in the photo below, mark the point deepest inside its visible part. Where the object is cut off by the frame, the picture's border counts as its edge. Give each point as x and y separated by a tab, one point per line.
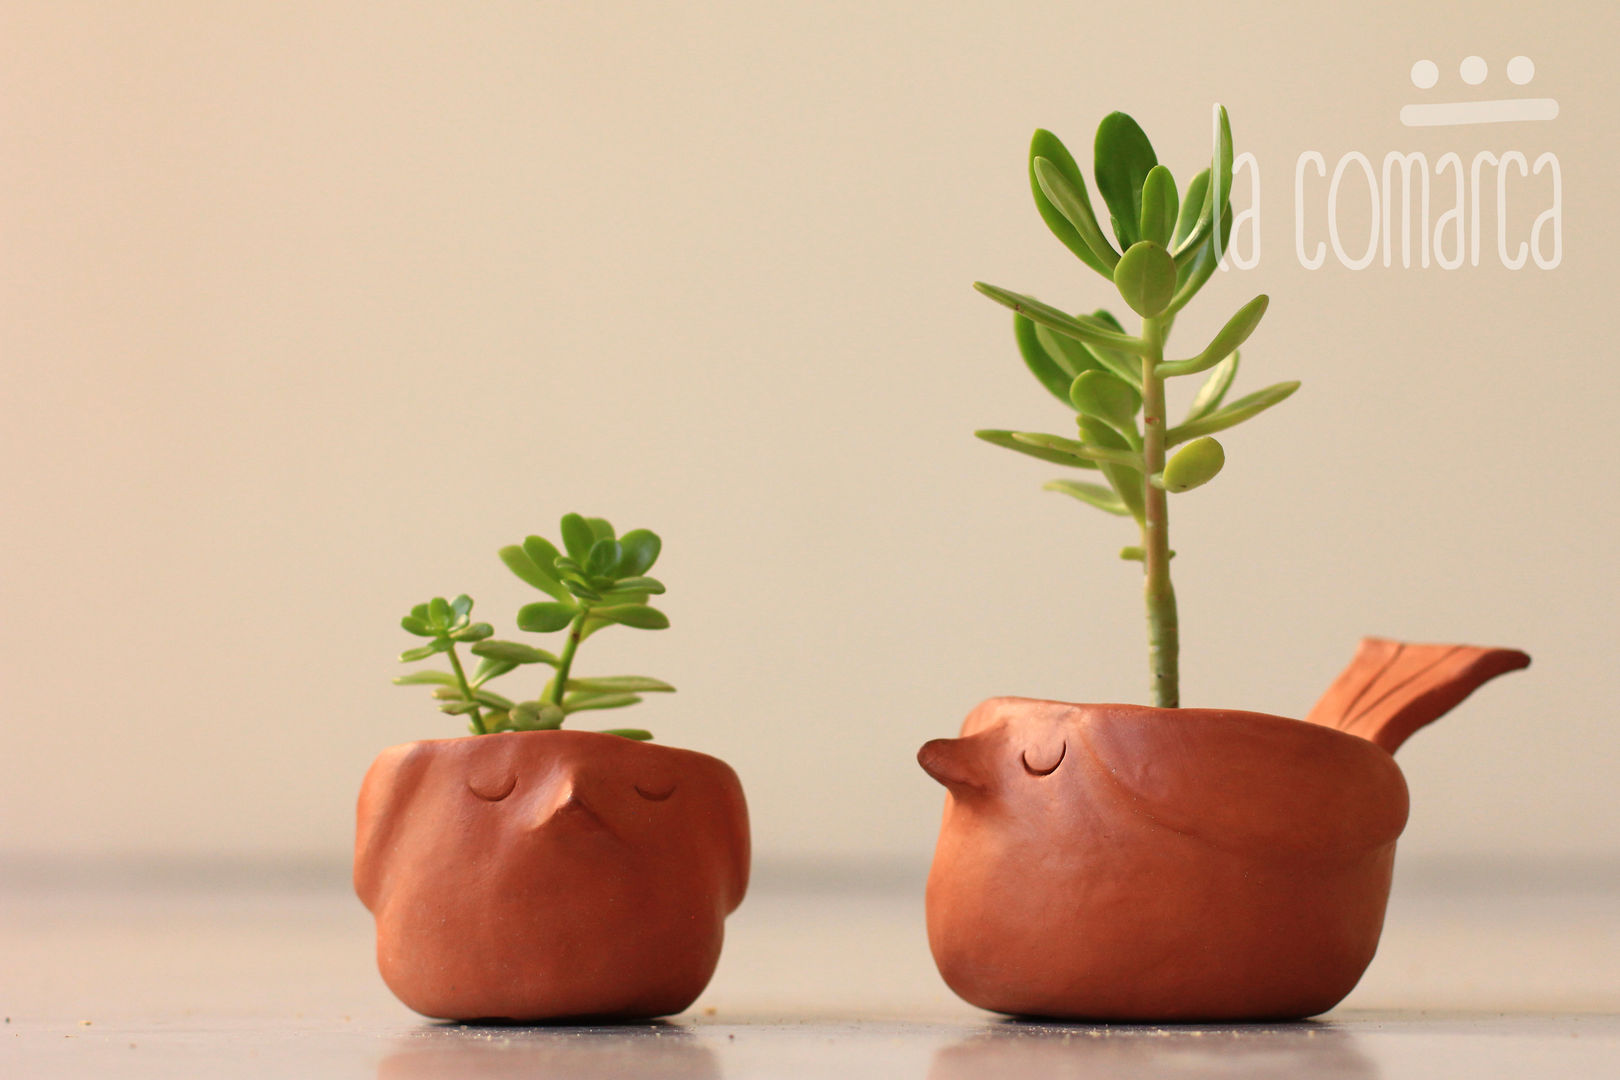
1119	862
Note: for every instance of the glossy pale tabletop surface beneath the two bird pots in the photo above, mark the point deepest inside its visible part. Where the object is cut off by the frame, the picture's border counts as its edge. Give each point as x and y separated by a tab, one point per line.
179	971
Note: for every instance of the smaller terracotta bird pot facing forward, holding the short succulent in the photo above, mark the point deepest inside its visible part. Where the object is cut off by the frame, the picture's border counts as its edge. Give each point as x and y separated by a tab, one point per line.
550	875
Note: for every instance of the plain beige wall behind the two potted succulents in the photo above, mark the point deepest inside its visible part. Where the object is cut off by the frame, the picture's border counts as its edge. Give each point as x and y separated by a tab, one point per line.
309	308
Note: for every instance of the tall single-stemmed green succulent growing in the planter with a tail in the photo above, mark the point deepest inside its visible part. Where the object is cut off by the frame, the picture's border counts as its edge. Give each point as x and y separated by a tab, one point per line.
1115	380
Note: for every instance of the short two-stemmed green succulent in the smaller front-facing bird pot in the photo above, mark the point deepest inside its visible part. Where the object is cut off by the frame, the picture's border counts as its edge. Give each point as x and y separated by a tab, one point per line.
597	580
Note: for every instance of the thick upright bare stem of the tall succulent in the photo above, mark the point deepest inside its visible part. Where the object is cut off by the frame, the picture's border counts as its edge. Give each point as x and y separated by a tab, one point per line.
1162	632
